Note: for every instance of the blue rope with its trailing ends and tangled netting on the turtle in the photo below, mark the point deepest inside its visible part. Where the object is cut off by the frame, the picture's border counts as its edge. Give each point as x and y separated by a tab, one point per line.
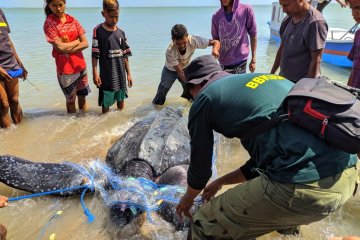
149	196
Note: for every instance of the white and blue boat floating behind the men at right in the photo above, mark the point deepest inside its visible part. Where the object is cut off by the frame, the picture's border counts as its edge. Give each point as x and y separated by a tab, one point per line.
338	43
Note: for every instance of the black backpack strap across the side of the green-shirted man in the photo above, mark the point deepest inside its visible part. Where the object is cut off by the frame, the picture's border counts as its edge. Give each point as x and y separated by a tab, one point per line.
254	129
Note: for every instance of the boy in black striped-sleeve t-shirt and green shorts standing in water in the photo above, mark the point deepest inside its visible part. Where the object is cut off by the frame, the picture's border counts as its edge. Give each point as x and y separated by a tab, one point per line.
111	49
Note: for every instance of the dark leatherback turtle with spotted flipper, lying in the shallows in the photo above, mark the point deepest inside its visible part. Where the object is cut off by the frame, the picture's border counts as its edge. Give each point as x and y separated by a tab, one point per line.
156	148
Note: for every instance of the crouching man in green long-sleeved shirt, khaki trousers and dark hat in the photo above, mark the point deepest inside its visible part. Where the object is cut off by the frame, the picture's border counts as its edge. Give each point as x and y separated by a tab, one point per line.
292	177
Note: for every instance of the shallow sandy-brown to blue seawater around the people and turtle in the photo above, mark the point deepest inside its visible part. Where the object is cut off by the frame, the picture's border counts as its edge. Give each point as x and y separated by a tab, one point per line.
48	134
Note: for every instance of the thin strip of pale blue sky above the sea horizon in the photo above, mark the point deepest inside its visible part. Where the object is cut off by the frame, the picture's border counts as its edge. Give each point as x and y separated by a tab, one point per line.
124	3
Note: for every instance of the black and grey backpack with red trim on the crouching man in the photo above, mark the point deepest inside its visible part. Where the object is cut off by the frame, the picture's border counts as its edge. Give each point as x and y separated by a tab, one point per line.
327	109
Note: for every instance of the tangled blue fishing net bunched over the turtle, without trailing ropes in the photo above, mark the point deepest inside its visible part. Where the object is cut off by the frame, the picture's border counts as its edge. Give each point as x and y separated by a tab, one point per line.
138	194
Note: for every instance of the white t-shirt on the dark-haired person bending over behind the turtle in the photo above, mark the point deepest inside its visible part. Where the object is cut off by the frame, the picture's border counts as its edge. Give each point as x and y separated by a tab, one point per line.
173	56
